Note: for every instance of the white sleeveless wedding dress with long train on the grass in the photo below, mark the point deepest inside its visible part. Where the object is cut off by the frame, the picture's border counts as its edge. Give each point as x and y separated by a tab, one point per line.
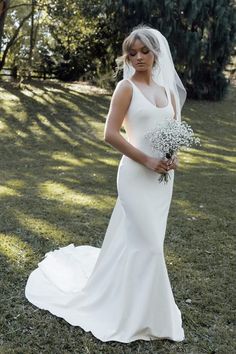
122	291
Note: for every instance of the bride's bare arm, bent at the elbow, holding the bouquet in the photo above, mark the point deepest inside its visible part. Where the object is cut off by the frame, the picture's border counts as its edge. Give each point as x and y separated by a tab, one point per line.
118	108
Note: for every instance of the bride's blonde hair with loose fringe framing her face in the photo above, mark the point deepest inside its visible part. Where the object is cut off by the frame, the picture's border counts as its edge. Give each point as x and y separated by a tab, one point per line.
143	33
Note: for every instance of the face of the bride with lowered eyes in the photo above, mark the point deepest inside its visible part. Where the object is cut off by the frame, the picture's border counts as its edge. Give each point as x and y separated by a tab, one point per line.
140	56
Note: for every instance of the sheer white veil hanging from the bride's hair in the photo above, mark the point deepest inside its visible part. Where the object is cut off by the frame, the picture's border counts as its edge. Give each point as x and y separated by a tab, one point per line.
164	73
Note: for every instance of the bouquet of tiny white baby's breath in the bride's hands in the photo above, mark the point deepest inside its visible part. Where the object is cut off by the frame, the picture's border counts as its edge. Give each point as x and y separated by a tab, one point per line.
170	138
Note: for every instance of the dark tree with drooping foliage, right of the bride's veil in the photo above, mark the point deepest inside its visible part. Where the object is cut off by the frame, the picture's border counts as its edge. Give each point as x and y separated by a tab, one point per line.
207	33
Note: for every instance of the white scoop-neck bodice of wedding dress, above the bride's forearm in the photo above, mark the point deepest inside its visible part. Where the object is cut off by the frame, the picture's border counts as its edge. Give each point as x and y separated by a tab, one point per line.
143	116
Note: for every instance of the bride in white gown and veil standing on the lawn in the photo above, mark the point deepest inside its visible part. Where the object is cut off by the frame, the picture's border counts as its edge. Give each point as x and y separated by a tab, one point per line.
122	292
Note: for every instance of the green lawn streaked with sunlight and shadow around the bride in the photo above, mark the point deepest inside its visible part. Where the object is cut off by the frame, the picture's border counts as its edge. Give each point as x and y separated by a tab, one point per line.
58	186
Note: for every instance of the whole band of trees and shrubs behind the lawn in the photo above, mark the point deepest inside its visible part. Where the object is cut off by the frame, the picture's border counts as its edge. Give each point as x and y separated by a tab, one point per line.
80	39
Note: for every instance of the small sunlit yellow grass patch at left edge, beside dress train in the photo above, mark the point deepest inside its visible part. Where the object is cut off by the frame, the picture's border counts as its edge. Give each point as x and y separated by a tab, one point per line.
14	248
